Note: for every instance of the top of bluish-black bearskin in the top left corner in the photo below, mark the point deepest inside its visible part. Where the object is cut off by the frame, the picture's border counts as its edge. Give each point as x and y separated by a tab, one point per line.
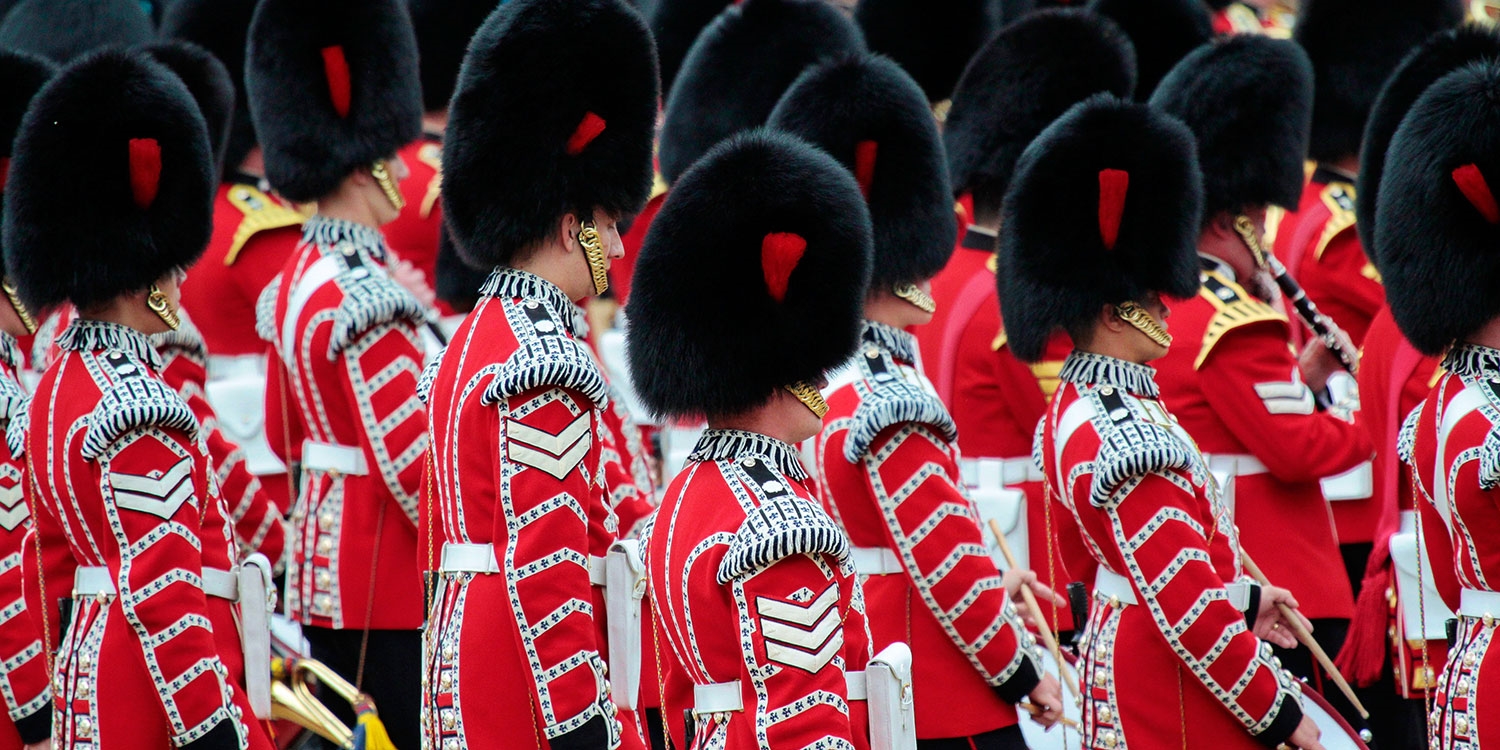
62	31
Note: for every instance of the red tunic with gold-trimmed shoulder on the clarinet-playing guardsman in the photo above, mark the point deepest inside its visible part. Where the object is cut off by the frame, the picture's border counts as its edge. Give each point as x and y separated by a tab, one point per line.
1234	383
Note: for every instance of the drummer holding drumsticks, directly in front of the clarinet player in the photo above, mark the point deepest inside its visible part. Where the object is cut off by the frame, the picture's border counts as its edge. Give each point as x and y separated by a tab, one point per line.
1100	224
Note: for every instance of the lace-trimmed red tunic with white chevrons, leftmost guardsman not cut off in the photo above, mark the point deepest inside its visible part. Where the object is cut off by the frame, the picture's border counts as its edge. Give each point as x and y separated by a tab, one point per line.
122	482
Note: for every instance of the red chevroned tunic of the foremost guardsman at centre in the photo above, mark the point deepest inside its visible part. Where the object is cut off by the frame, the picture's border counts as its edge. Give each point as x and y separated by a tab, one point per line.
754	584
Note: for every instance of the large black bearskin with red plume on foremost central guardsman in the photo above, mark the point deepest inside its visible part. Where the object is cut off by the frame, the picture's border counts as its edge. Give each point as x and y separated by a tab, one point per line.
752	278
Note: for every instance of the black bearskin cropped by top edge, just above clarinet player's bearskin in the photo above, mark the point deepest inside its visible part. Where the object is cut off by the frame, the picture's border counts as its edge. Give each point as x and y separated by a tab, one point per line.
1162	31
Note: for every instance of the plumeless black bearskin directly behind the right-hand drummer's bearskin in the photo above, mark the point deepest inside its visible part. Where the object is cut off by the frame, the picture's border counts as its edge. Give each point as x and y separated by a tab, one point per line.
1024	80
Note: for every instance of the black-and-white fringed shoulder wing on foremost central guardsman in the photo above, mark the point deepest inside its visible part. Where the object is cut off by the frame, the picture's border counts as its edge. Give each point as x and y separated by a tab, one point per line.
781	526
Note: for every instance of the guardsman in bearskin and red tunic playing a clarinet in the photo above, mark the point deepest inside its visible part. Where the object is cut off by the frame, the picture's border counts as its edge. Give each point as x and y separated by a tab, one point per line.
1231	377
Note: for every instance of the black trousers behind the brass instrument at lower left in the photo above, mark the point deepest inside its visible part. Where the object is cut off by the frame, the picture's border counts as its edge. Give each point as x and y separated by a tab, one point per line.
392	676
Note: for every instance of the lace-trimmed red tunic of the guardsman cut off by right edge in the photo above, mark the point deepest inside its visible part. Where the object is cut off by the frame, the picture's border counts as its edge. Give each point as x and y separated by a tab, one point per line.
1453	445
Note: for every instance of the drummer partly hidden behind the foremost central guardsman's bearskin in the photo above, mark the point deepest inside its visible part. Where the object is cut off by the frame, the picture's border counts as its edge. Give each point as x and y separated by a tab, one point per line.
887	461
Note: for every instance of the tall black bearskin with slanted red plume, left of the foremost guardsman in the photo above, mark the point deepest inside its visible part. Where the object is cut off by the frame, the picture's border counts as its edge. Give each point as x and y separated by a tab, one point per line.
538	130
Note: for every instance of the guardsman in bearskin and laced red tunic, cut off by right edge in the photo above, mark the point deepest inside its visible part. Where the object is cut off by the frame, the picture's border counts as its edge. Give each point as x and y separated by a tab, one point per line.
1438	229
